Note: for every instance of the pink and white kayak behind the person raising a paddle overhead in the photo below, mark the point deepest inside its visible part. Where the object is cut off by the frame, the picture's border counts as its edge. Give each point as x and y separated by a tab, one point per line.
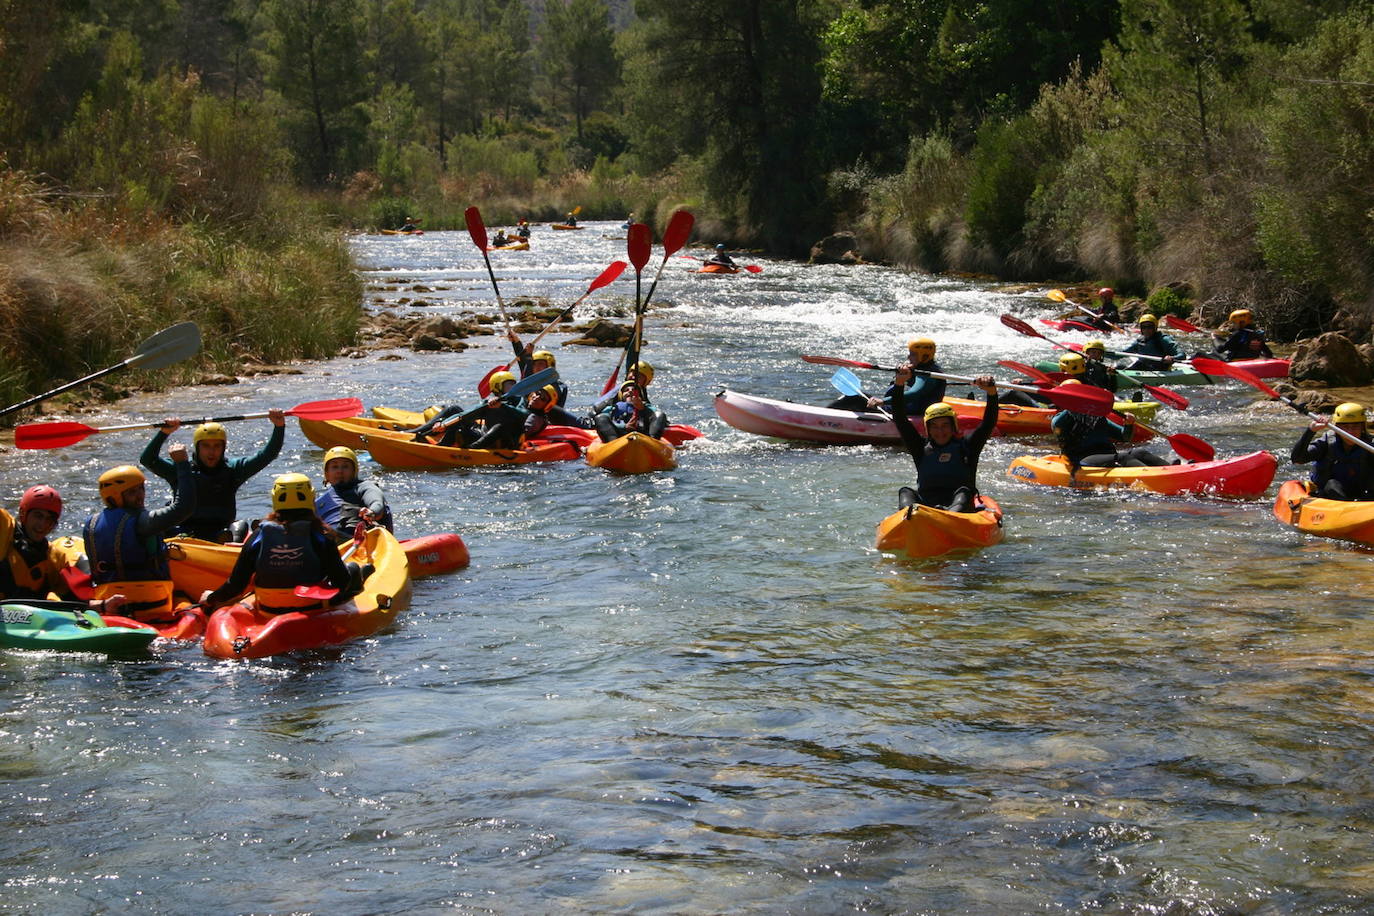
807	424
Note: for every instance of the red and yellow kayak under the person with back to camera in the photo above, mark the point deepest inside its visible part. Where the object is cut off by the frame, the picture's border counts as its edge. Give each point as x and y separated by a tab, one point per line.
243	631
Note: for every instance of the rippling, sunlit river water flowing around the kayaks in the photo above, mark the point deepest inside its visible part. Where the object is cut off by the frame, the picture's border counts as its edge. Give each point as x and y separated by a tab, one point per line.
704	691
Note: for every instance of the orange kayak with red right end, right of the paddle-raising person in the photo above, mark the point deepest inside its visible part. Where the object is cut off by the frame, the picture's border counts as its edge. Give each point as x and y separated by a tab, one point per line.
1246	476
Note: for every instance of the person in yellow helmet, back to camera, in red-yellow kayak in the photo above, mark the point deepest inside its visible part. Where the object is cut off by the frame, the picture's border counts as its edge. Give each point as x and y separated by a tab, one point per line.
289	549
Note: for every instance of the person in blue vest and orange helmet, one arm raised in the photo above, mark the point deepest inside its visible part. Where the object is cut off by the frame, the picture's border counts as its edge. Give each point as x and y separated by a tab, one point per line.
124	540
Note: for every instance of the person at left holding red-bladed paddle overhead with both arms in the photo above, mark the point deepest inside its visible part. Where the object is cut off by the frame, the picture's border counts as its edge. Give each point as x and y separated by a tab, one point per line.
215	477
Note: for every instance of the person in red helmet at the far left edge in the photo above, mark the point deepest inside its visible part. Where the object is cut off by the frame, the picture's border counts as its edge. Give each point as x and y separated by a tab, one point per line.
28	568
